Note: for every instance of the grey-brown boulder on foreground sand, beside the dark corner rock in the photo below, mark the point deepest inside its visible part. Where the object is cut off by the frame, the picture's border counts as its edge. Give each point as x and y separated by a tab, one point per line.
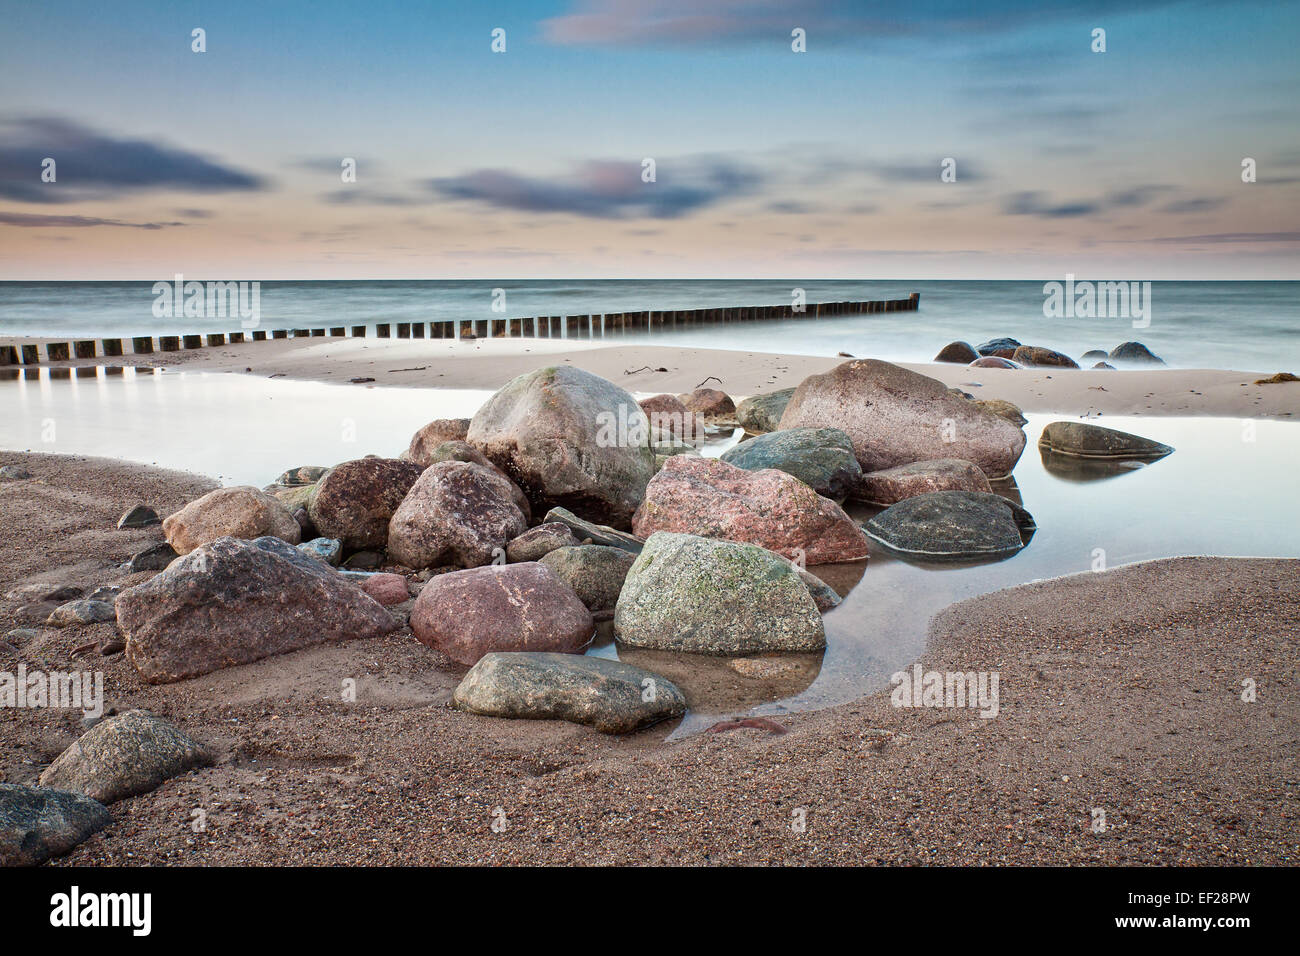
123	756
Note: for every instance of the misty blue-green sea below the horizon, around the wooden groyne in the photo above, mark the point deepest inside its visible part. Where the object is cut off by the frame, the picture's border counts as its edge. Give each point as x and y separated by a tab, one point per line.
1243	326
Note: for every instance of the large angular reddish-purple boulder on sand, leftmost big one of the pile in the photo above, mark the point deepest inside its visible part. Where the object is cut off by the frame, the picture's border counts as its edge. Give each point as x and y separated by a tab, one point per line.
235	602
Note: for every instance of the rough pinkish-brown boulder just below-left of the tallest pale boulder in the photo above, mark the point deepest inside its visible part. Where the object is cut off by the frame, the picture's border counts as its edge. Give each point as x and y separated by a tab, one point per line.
456	513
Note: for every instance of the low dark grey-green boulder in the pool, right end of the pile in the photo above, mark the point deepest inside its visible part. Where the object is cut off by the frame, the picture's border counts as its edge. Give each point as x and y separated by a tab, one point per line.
952	526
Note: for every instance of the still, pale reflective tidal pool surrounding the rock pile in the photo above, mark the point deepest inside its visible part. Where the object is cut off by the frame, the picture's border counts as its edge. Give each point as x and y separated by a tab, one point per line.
1227	491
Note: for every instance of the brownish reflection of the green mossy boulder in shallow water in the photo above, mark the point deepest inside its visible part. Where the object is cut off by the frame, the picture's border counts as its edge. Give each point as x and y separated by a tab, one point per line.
727	685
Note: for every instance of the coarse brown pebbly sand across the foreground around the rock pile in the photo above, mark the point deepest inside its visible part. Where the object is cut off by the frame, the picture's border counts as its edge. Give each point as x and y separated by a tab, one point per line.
1120	691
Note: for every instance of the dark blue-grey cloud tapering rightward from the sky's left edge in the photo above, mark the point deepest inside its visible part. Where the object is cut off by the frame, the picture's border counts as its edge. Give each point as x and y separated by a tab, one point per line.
96	166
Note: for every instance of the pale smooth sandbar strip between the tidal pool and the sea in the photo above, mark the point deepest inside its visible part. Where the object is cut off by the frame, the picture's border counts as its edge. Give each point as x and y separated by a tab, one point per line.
491	364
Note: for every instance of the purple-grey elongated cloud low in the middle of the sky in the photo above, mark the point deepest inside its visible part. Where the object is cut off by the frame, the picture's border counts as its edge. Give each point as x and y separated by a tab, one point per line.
608	189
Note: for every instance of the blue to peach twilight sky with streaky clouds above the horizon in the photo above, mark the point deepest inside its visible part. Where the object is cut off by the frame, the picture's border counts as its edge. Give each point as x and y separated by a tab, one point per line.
536	162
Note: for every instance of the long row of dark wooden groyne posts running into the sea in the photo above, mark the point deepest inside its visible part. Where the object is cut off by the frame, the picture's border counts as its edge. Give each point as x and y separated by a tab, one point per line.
540	327
